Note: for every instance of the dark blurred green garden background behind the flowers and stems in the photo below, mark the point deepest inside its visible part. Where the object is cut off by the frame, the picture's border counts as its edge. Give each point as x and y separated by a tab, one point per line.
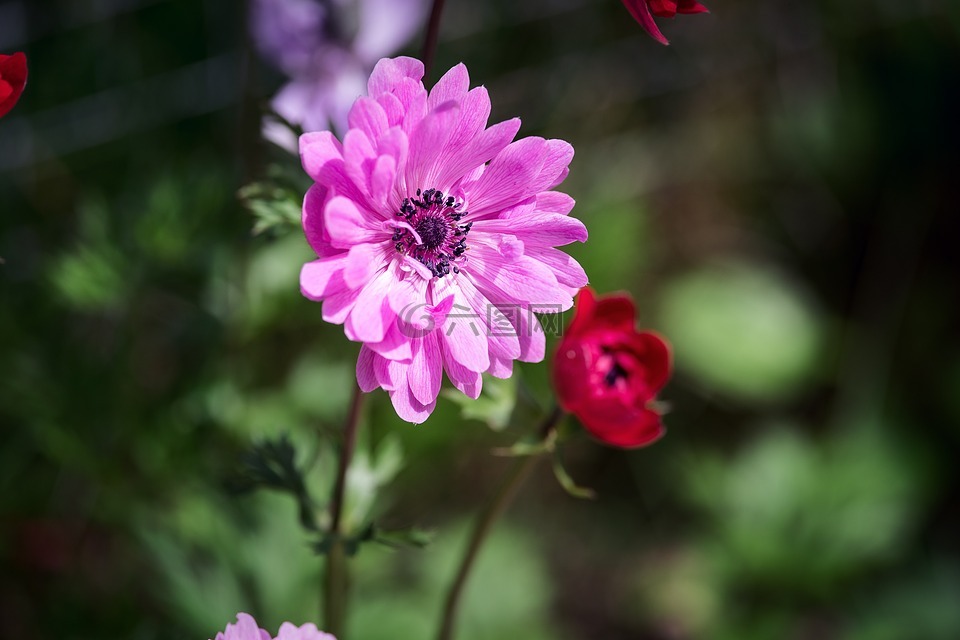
778	189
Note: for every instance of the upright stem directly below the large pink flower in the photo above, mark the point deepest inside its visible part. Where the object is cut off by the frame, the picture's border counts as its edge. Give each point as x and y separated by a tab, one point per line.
337	578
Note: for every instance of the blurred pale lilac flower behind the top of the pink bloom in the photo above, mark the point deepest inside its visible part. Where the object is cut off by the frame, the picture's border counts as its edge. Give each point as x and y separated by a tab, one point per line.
327	48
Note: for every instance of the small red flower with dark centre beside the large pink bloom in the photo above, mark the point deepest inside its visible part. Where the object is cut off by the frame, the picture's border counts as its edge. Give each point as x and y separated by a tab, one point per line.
607	373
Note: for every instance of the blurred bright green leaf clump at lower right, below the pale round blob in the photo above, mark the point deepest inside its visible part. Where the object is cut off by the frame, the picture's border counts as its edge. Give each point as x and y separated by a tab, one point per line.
845	505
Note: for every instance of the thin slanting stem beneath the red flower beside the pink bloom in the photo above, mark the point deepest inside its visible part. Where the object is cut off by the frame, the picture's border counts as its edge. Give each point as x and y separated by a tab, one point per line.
501	500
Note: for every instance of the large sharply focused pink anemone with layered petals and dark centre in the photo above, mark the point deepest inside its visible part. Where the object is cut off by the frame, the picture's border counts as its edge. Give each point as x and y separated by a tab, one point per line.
436	236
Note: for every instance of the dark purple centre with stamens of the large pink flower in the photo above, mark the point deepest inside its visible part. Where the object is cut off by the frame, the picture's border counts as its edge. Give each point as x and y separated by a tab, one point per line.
432	233
